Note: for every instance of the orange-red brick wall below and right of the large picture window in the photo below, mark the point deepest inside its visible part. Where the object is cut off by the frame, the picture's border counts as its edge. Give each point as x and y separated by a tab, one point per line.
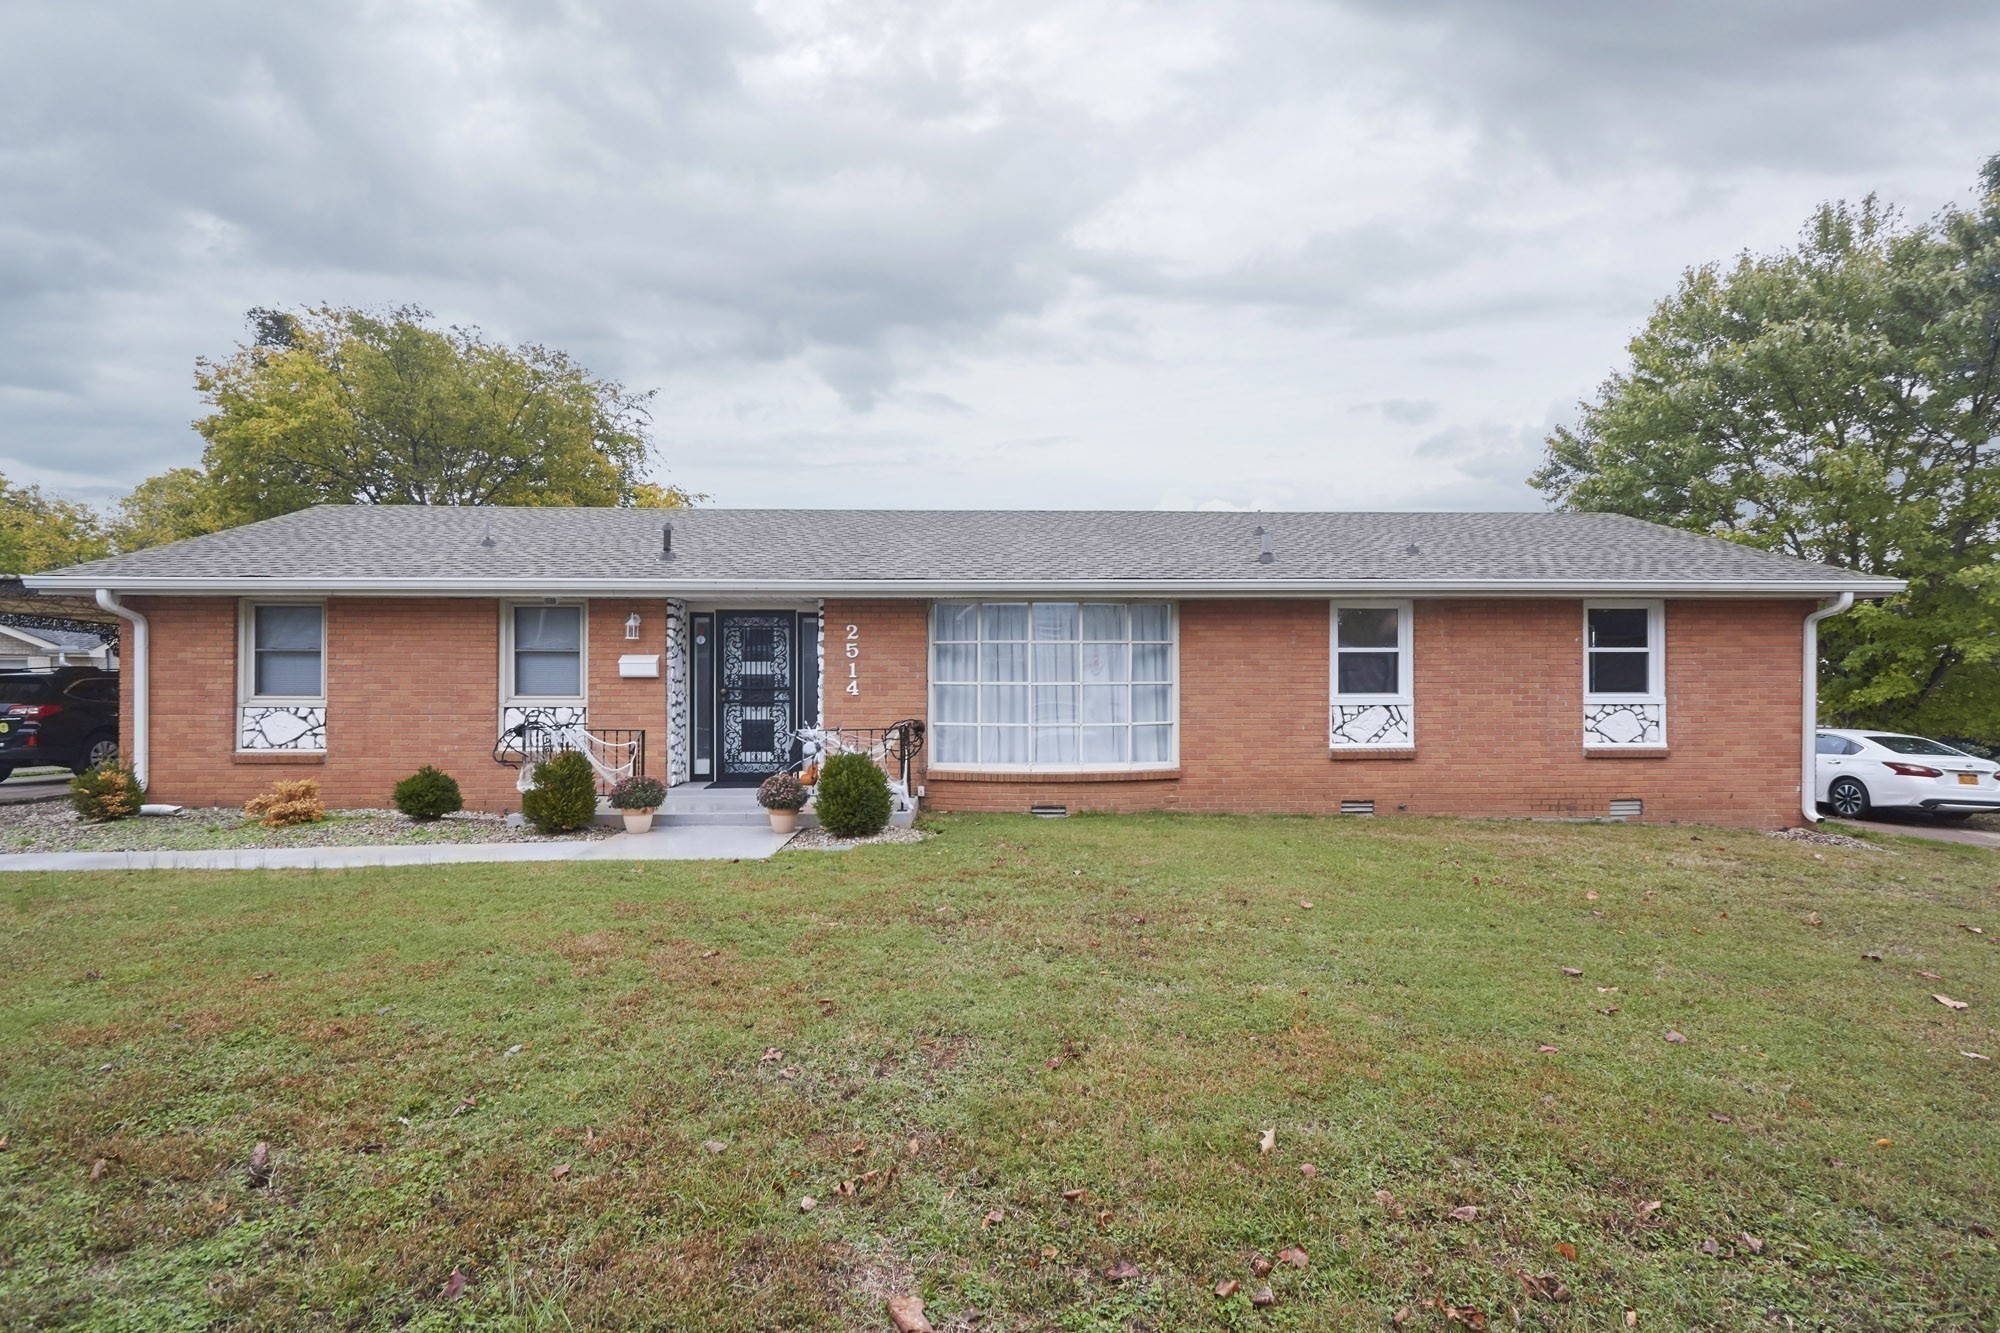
1499	720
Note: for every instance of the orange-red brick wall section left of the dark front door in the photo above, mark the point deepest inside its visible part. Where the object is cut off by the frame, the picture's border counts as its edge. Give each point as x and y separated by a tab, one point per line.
409	684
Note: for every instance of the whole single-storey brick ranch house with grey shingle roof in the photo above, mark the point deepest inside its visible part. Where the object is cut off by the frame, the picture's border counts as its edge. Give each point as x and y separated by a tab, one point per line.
1541	663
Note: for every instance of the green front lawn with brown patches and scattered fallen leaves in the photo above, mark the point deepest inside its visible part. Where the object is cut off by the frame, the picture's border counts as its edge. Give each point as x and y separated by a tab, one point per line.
973	1026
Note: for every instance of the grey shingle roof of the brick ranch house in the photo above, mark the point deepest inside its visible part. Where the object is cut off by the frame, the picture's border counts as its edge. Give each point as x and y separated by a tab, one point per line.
397	547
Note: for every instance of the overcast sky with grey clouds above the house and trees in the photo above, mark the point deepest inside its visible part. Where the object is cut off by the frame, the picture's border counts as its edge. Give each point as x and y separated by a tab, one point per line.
1207	253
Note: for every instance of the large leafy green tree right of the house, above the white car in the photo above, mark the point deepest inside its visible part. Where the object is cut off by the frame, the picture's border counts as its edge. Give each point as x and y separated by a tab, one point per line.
1837	401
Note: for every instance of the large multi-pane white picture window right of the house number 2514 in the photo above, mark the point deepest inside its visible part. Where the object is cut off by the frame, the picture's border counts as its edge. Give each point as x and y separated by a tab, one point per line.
1053	686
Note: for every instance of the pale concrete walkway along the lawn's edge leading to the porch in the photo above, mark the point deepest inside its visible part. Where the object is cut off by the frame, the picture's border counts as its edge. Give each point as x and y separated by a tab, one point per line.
683	844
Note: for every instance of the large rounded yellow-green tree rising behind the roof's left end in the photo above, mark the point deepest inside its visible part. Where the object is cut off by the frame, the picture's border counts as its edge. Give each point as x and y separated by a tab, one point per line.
351	407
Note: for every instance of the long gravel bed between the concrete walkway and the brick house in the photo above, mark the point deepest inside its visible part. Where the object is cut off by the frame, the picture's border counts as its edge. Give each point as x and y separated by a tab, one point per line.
53	828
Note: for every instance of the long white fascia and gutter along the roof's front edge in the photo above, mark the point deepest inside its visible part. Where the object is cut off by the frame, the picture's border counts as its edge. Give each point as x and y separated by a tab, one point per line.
967	587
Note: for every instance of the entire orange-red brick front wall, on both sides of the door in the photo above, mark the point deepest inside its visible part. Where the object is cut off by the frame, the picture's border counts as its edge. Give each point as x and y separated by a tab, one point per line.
1499	710
